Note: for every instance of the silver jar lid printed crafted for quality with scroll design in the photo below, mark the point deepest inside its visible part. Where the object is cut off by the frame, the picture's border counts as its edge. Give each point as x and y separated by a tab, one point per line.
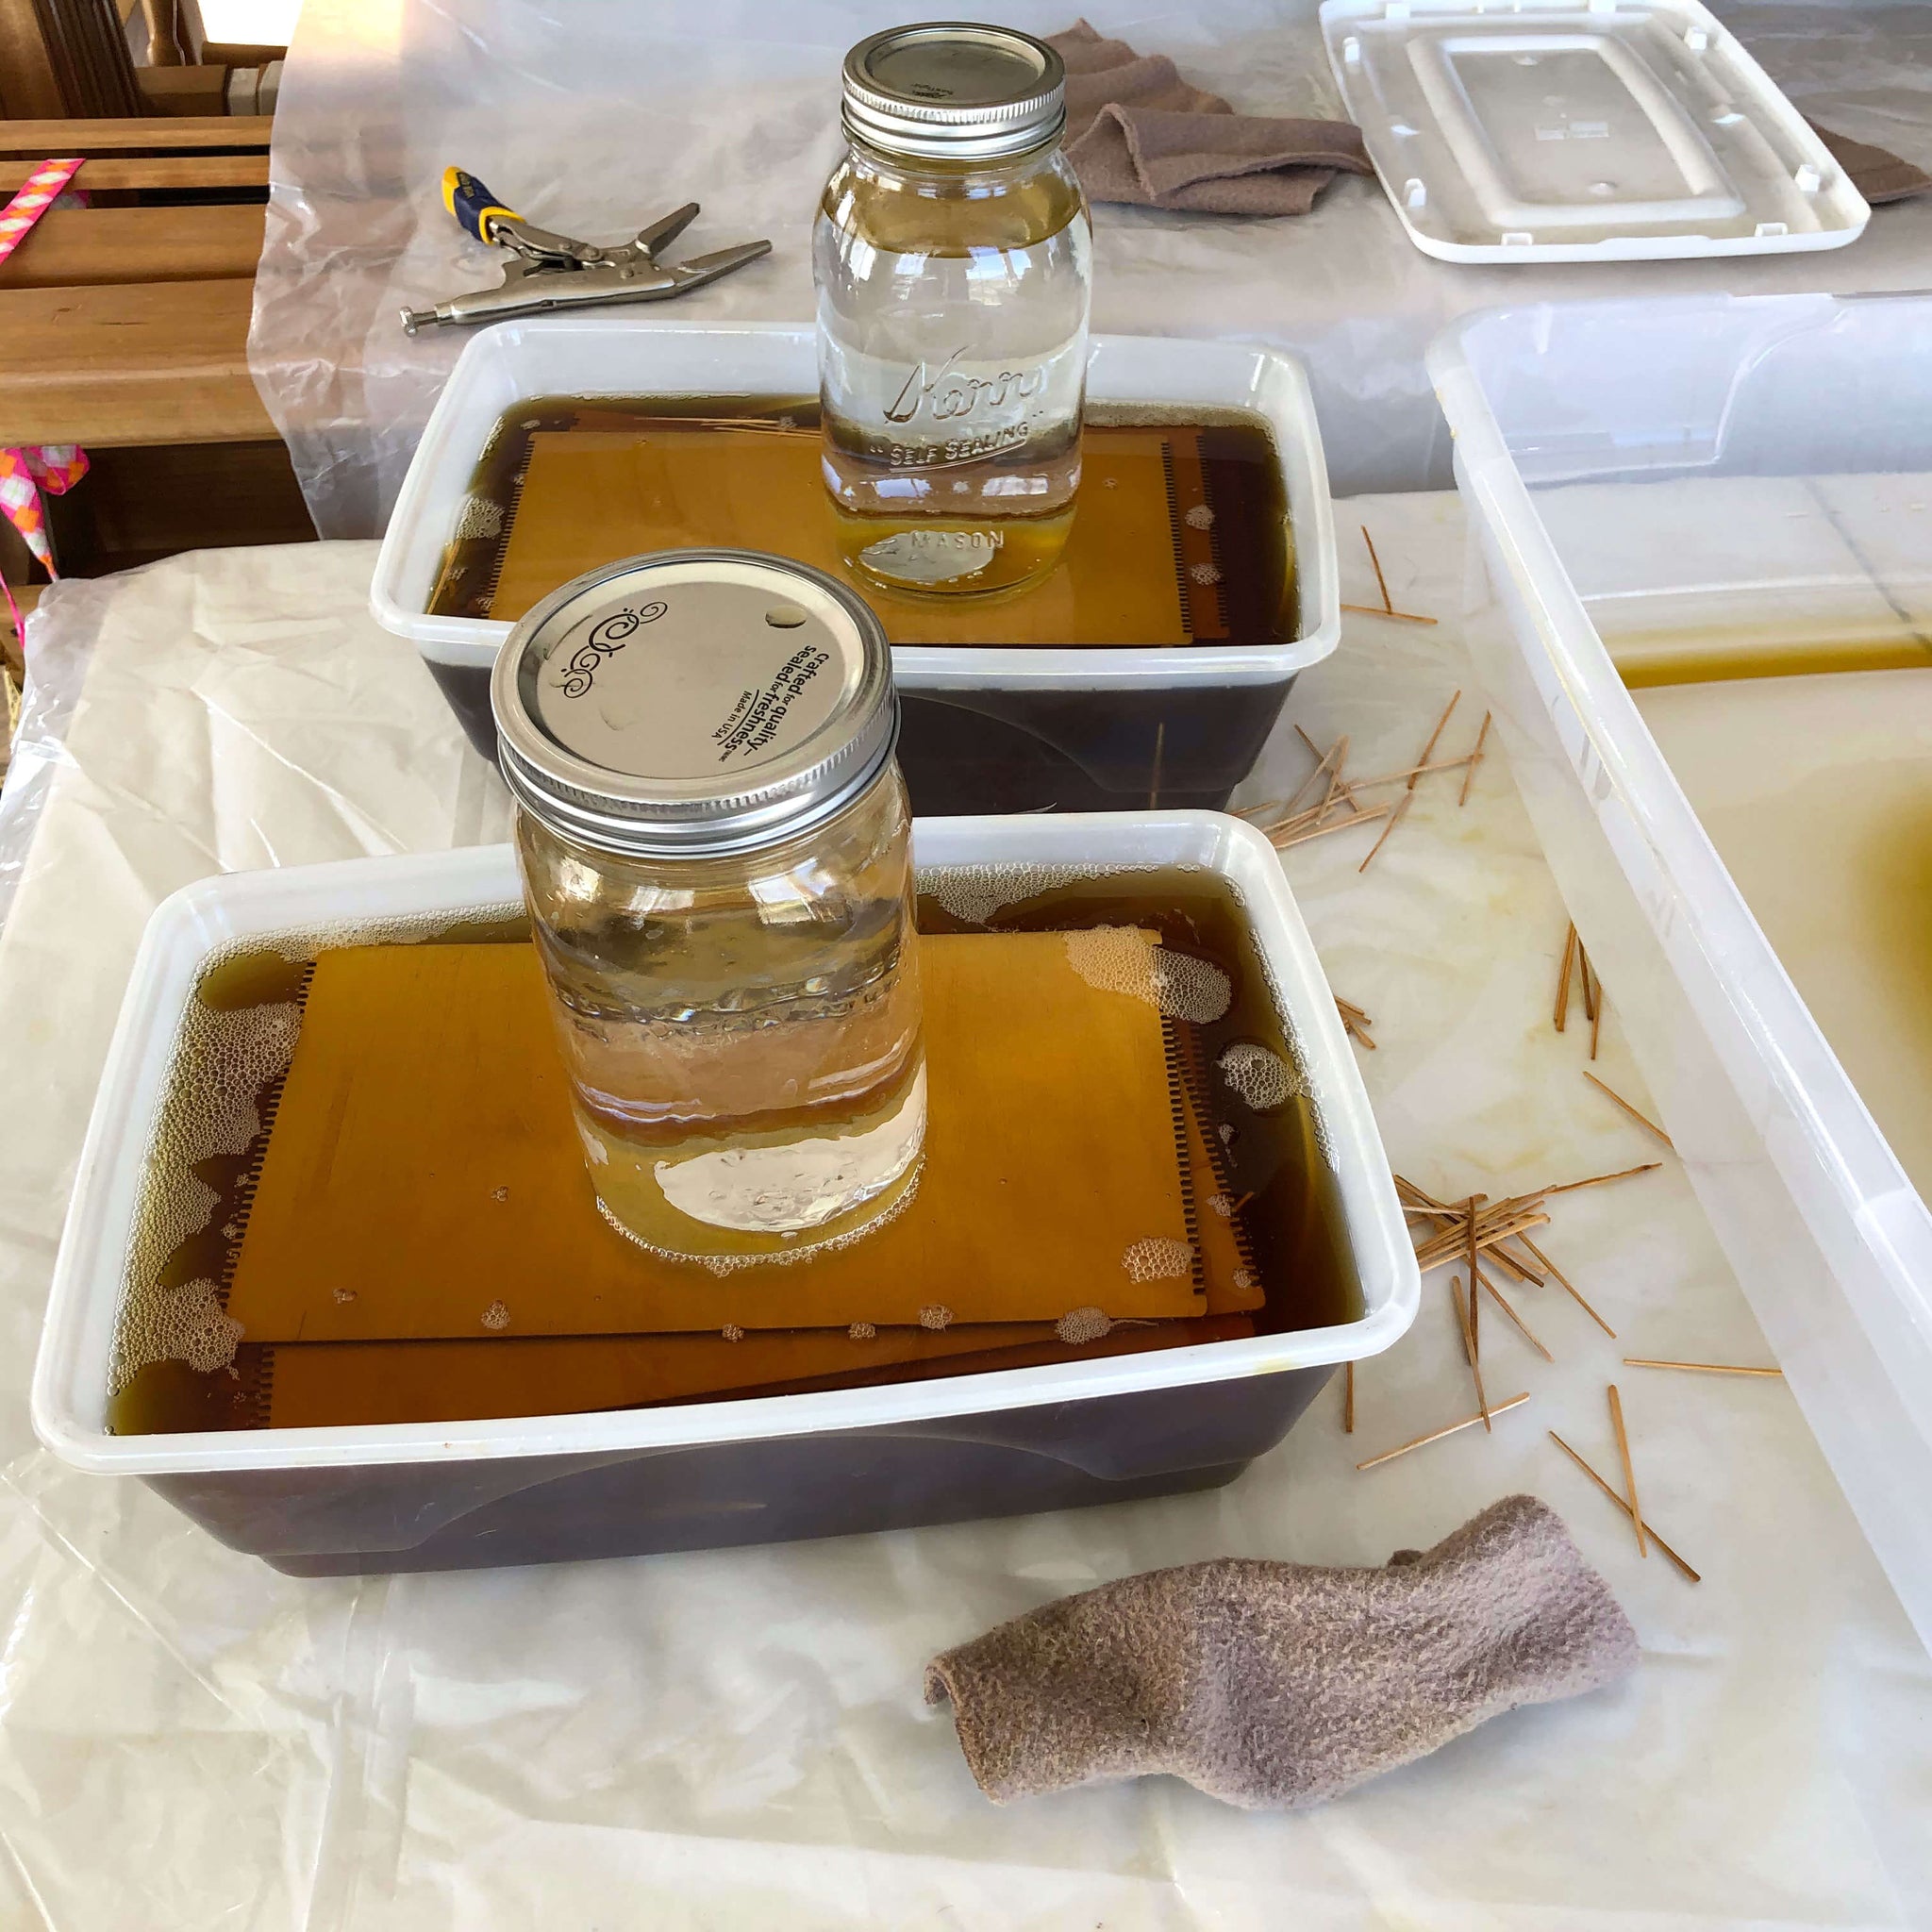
695	704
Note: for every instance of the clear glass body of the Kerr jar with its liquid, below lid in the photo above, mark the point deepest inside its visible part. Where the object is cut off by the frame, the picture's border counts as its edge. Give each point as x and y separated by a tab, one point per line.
953	372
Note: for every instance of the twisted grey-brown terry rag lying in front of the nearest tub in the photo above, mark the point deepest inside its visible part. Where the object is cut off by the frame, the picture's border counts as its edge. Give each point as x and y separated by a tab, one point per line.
1278	1684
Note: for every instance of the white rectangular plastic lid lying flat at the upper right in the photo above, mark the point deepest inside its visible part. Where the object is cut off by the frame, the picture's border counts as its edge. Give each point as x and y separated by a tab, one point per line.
1603	130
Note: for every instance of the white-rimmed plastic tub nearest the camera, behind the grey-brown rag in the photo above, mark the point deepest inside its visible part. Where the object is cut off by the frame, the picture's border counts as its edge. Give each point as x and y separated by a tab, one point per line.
702	1475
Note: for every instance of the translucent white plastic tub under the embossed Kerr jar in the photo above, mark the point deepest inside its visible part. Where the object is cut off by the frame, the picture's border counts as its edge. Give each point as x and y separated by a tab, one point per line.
986	729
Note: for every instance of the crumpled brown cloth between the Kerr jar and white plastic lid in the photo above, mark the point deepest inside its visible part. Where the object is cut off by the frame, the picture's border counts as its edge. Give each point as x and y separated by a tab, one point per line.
1137	132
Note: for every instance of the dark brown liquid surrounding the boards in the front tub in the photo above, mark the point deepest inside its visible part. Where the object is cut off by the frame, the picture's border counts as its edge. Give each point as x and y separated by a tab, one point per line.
1270	1162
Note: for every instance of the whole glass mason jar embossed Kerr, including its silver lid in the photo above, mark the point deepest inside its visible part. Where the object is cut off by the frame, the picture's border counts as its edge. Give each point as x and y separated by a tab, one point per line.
953	264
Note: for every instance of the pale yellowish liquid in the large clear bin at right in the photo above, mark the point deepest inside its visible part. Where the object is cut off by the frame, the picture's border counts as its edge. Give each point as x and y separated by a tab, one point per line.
1817	793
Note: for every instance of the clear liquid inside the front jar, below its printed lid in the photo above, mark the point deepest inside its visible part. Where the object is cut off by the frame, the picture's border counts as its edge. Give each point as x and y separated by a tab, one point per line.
749	1077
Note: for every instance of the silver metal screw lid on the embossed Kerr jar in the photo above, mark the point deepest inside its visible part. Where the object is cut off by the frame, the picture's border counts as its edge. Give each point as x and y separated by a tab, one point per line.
955	92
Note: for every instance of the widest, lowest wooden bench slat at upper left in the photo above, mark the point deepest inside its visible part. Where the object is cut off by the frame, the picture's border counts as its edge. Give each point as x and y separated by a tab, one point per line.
165	362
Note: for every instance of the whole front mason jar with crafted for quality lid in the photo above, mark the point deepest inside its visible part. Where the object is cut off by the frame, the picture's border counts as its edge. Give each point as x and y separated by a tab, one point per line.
714	841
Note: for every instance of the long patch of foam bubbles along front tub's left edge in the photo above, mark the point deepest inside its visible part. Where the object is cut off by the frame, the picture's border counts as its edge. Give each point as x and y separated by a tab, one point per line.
223	1064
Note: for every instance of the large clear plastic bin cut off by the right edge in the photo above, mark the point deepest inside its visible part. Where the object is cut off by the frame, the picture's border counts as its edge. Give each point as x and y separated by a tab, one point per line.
1641	469
